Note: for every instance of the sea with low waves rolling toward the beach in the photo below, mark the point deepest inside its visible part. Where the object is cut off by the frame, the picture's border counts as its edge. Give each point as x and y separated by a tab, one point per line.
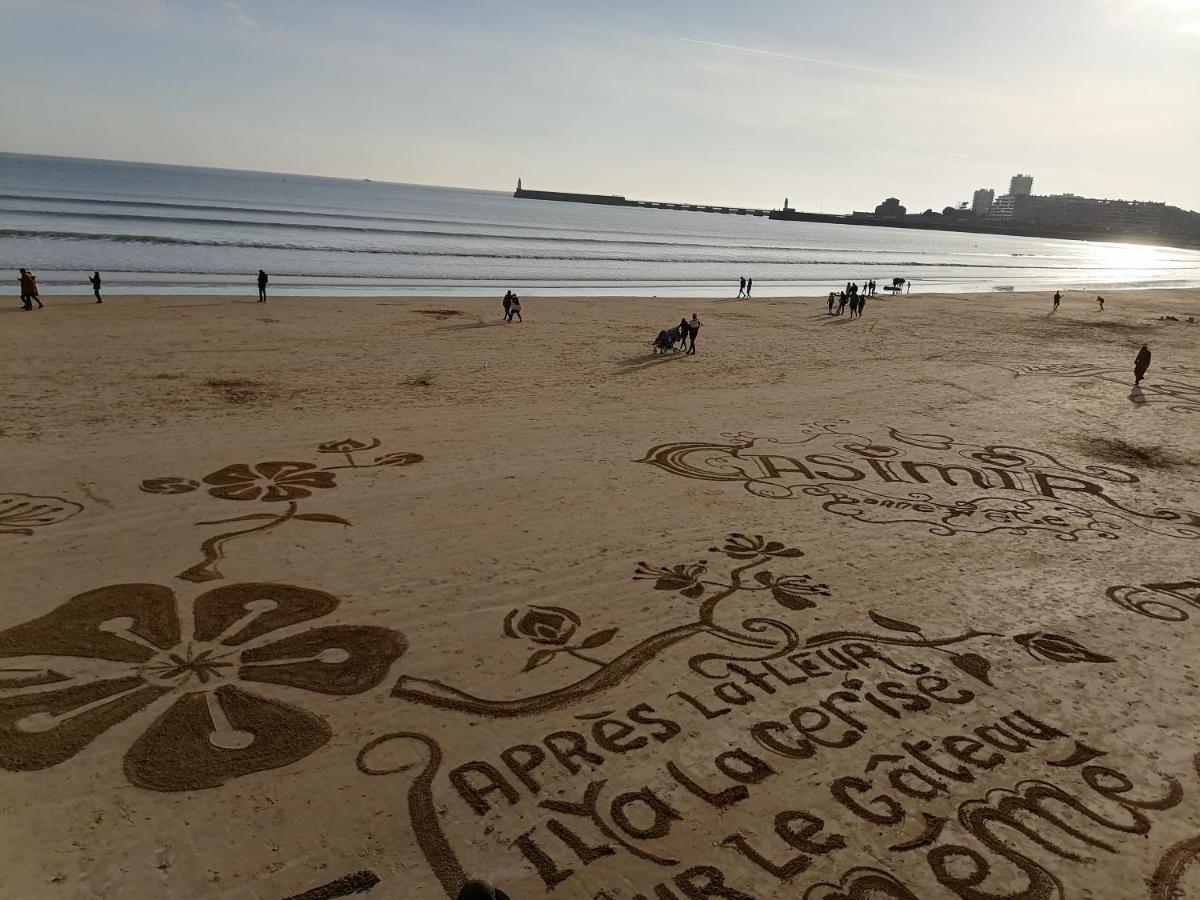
176	230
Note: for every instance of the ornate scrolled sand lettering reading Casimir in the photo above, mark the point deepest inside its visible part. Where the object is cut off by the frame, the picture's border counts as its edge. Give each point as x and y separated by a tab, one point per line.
962	489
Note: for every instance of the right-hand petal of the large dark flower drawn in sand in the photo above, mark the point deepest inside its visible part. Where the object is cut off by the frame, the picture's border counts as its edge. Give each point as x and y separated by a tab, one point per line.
338	659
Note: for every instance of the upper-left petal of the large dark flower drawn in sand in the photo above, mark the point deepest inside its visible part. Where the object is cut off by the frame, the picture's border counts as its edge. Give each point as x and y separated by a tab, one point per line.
119	622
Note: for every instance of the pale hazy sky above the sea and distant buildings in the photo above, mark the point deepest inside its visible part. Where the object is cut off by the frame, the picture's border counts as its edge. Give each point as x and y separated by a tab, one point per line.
836	105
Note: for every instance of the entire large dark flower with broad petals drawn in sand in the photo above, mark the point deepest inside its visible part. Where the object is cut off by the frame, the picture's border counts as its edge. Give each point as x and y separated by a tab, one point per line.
122	651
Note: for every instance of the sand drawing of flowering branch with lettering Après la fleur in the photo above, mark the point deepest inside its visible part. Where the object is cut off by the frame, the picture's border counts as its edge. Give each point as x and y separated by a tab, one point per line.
784	704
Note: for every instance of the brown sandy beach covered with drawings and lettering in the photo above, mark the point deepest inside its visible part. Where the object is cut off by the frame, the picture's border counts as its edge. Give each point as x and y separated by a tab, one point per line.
595	621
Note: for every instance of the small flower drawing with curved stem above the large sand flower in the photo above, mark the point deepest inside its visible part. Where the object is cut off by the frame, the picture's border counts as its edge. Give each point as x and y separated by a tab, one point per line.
273	483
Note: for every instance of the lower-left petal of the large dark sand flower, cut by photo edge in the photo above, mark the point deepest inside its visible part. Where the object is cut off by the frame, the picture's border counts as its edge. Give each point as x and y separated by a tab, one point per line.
43	729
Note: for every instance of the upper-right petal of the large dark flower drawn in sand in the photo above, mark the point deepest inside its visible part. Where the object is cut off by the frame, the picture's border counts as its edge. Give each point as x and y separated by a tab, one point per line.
241	613
